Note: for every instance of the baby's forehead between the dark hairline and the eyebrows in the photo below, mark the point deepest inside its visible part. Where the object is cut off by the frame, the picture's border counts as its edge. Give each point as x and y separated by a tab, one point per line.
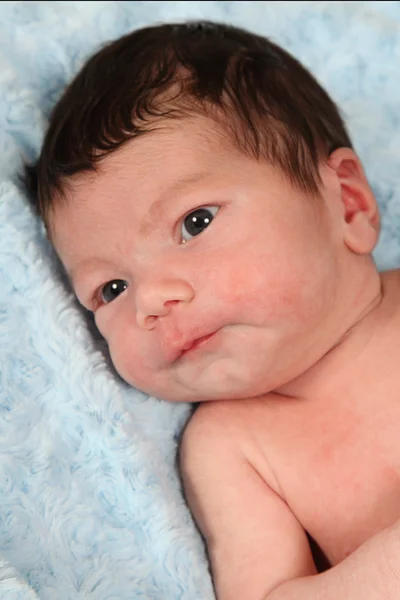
176	154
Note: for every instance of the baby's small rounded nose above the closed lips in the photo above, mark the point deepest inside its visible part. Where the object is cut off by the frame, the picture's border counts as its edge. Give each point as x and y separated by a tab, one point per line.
154	300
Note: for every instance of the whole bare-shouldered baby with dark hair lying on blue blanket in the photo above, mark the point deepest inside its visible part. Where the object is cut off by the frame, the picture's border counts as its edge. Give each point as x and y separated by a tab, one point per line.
202	193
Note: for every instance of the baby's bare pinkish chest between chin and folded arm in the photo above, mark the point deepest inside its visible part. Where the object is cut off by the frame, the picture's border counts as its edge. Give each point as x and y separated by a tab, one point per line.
340	474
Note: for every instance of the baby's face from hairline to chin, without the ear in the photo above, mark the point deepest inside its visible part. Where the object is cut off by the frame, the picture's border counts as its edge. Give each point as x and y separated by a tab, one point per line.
210	276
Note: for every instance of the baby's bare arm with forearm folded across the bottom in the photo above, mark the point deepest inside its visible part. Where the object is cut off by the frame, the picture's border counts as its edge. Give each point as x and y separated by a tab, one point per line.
257	548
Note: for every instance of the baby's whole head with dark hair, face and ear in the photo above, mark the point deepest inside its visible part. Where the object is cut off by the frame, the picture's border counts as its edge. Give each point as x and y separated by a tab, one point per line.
201	191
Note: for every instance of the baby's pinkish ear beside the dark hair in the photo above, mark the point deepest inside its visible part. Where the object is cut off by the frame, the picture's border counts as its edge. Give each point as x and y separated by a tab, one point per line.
361	220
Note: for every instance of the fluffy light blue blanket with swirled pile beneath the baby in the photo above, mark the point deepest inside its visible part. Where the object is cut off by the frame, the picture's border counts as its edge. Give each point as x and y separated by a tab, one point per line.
90	498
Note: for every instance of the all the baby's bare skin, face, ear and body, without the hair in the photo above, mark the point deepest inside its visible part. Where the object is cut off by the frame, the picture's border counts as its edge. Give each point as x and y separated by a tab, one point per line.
298	428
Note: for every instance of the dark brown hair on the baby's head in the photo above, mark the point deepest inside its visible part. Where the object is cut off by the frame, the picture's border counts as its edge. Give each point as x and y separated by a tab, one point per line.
269	104
